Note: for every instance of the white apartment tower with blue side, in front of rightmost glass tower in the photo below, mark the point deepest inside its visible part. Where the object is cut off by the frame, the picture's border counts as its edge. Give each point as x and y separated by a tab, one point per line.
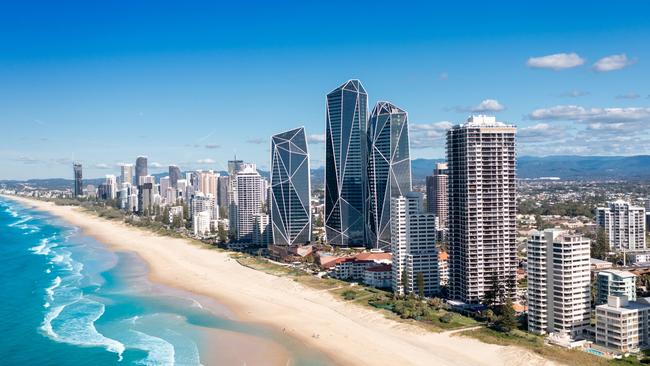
413	244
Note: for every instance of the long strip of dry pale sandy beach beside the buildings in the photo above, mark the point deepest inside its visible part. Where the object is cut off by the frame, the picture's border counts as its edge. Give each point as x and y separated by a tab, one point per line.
349	334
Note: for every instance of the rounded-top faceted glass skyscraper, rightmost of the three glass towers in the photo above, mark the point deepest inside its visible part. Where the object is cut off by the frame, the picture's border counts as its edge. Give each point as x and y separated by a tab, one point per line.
389	169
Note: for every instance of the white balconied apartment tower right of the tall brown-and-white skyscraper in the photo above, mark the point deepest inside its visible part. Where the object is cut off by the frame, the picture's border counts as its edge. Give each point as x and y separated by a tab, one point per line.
559	286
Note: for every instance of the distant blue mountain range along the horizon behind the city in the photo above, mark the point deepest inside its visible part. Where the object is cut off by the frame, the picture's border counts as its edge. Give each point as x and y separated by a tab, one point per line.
567	167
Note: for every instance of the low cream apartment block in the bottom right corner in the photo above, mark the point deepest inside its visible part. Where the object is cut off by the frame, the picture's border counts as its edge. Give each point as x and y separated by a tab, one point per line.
623	325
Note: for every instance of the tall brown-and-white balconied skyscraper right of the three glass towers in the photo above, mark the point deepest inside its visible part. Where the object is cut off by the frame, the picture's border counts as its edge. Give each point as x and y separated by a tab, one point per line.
482	208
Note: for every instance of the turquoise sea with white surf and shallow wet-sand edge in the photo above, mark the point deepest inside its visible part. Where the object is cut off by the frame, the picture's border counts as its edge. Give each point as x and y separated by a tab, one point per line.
70	301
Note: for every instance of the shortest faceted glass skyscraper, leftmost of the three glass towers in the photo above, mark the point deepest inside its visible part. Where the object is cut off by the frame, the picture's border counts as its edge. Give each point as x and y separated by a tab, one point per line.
290	188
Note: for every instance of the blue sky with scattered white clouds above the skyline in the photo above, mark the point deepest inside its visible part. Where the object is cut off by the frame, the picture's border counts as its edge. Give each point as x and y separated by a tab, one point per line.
193	83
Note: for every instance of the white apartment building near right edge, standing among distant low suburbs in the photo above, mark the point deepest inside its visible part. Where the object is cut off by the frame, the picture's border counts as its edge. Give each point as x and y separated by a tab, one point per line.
624	225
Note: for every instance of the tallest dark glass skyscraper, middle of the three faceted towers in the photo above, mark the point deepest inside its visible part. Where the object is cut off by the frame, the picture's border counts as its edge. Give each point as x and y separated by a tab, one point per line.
345	164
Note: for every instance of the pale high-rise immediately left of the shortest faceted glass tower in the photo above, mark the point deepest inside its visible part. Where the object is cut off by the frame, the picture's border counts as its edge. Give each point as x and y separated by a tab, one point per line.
247	200
